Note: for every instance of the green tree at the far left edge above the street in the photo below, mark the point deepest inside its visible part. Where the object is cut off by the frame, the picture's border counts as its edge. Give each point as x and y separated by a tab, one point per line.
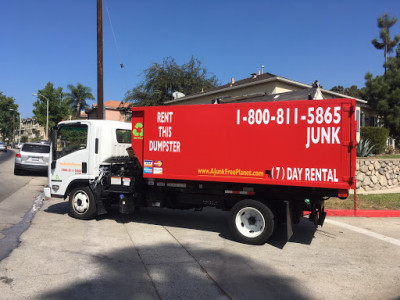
8	117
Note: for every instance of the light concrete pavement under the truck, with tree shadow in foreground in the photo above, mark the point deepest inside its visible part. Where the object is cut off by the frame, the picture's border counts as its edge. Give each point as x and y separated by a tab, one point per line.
167	254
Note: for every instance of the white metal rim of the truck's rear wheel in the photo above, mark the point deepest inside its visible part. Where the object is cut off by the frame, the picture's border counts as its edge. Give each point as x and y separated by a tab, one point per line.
250	222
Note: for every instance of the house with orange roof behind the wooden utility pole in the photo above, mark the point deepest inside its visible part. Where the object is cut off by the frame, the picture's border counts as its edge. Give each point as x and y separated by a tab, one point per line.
114	110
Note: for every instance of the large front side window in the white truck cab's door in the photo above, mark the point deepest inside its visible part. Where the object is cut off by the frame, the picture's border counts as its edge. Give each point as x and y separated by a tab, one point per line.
71	138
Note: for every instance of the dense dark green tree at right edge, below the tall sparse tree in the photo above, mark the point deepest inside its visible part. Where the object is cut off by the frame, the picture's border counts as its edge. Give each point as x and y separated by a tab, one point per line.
383	94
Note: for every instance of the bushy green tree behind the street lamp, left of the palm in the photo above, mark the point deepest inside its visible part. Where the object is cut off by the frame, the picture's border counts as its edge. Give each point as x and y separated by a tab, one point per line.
58	107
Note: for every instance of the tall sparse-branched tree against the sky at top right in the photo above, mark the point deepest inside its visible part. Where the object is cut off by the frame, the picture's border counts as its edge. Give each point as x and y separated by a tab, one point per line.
384	23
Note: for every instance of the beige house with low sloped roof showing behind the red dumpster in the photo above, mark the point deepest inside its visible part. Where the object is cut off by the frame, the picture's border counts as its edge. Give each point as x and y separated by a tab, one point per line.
270	87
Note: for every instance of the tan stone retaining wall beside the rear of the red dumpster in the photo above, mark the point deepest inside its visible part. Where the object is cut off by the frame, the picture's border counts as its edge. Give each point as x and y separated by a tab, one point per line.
377	174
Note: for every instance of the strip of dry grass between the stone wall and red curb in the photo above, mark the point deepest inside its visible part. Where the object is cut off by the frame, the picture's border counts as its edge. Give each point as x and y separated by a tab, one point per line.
375	201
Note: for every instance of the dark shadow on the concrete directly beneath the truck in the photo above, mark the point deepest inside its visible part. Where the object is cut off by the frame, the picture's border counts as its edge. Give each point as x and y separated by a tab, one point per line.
210	219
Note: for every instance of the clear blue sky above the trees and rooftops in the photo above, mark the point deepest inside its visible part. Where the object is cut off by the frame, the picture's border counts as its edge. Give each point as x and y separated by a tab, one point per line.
49	40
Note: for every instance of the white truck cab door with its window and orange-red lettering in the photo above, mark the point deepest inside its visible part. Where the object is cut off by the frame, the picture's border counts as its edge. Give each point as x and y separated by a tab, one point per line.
70	153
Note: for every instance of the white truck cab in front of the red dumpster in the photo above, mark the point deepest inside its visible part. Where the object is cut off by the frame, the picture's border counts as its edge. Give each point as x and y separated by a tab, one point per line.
80	148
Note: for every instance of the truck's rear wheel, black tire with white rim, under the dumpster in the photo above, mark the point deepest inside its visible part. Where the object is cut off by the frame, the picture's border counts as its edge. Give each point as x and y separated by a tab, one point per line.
251	222
